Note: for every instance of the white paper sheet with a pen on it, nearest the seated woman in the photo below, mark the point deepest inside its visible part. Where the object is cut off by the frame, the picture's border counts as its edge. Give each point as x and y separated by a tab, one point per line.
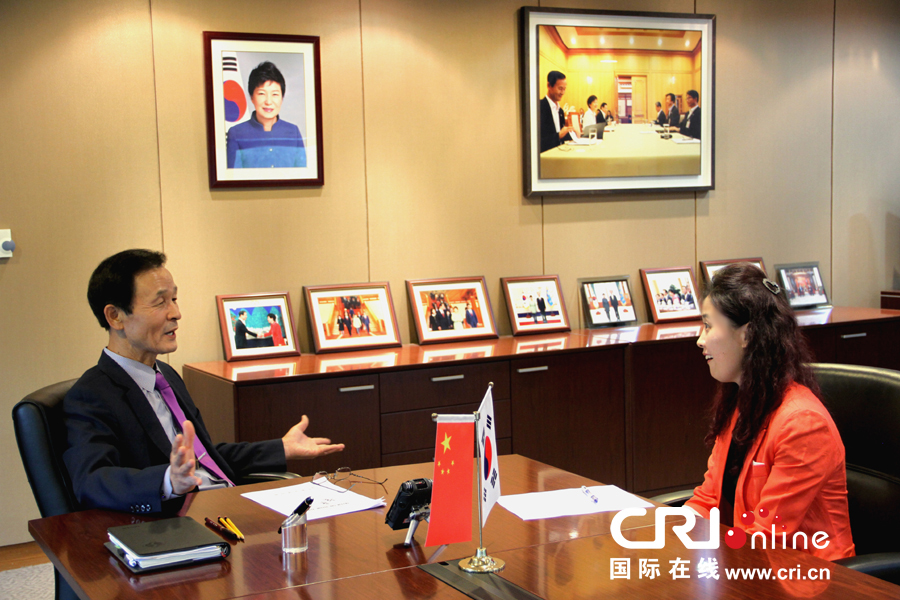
563	503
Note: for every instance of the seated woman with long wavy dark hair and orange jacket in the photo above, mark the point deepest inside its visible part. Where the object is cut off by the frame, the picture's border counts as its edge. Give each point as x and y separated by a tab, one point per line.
777	458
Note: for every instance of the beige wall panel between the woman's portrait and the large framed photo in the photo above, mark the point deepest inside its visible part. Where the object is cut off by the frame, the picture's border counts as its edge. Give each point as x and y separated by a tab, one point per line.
444	174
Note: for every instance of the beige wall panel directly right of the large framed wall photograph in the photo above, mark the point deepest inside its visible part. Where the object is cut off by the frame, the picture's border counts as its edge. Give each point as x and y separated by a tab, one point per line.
773	163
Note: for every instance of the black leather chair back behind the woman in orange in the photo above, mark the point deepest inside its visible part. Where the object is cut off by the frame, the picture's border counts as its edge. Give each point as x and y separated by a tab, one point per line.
865	405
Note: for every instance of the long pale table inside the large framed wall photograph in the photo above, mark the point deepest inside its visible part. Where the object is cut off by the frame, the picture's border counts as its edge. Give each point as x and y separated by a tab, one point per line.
629	150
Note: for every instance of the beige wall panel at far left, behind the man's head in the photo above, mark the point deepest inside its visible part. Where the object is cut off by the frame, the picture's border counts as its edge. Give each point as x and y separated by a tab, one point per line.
79	180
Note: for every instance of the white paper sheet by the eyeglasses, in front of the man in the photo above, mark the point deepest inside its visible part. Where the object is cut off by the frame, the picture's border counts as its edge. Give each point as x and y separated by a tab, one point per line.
327	501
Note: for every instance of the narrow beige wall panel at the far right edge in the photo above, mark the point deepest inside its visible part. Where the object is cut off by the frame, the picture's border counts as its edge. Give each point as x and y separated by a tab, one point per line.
866	232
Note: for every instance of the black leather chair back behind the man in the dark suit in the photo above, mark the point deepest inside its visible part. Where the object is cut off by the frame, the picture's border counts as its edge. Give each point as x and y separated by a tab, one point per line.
41	435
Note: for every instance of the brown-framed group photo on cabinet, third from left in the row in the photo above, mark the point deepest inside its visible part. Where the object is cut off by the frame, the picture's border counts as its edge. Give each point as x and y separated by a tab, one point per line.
451	309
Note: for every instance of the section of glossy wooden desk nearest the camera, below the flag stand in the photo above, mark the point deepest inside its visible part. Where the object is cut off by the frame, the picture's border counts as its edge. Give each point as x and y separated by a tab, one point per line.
580	568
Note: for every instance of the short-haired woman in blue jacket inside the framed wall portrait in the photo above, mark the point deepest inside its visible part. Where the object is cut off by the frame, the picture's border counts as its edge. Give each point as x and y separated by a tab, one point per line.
265	140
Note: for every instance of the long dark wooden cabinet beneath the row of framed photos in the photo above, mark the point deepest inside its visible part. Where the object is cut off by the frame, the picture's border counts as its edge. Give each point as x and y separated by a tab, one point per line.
633	413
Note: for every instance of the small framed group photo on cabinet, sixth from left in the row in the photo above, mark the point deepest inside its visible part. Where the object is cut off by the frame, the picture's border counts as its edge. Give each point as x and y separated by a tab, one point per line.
671	294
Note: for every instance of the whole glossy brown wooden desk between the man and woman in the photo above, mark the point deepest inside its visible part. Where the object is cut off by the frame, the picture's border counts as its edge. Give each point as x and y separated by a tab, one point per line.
358	556
